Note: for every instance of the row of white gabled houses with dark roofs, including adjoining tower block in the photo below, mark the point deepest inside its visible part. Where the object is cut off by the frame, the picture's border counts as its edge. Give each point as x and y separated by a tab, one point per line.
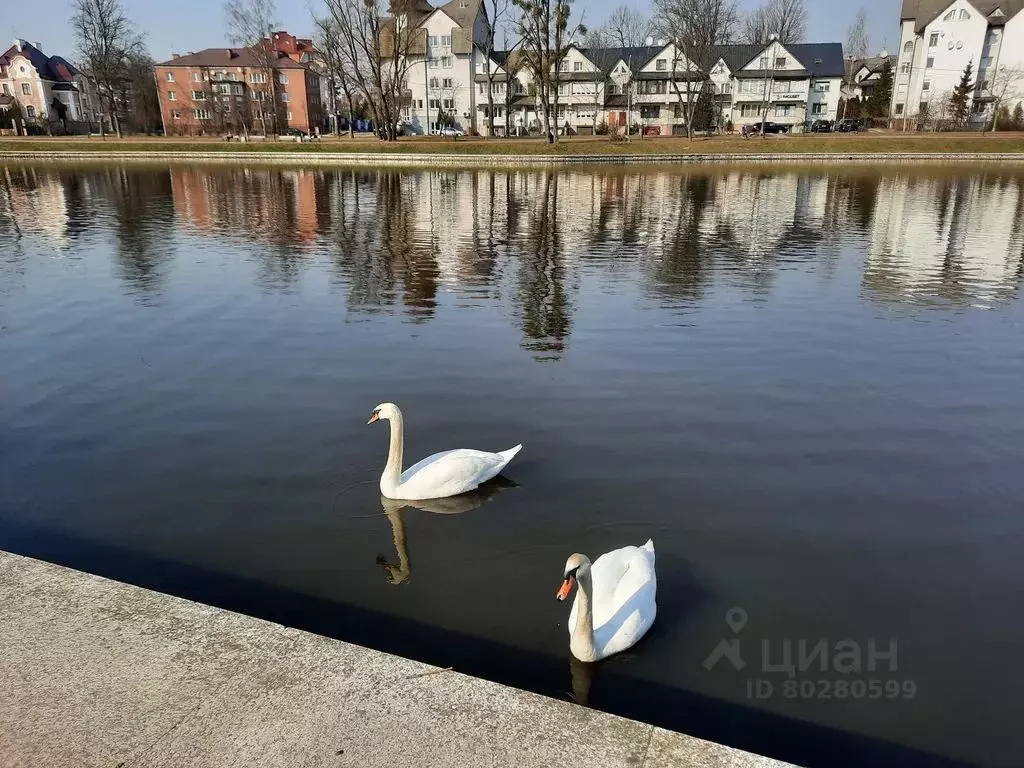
448	73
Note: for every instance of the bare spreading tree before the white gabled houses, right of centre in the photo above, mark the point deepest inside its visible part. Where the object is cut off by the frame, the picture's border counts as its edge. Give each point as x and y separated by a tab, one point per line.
697	29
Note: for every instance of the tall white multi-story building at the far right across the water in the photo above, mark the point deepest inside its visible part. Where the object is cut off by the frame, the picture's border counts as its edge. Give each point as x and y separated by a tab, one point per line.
940	38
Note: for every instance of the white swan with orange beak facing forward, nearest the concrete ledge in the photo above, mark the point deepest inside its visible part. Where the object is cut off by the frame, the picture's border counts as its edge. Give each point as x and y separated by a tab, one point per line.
615	606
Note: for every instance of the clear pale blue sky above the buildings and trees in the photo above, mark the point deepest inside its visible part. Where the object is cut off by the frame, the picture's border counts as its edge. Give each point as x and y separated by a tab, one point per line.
181	26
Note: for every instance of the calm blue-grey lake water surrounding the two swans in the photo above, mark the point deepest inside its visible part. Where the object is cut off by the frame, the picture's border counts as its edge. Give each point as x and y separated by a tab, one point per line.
806	387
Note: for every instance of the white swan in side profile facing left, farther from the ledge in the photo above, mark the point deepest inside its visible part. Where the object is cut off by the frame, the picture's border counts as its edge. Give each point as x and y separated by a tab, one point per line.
438	477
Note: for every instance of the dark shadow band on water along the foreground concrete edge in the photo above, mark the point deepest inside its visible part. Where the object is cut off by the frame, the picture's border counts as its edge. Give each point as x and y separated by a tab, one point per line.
726	722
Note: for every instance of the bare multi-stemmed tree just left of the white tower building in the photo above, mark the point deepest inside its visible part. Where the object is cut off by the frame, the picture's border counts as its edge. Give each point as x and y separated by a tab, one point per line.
376	50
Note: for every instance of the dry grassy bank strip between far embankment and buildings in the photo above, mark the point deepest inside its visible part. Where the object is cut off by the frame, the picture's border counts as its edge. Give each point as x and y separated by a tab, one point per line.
842	144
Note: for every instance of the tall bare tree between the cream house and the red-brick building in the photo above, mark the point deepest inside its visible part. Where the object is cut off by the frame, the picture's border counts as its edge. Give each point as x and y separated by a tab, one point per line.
107	42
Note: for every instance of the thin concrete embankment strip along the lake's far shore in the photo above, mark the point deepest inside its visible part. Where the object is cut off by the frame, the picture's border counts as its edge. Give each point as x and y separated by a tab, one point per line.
458	160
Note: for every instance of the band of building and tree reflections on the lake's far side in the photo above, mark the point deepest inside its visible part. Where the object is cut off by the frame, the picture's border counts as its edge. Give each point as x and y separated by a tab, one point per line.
401	241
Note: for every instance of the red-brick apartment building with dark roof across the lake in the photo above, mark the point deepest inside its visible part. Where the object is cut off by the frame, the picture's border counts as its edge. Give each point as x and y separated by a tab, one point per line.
228	91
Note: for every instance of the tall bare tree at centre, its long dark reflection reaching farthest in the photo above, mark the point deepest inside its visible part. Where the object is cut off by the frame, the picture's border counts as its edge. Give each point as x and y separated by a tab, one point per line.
547	36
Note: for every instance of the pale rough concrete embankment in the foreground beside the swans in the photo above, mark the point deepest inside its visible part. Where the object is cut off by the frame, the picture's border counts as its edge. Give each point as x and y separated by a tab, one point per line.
99	673
